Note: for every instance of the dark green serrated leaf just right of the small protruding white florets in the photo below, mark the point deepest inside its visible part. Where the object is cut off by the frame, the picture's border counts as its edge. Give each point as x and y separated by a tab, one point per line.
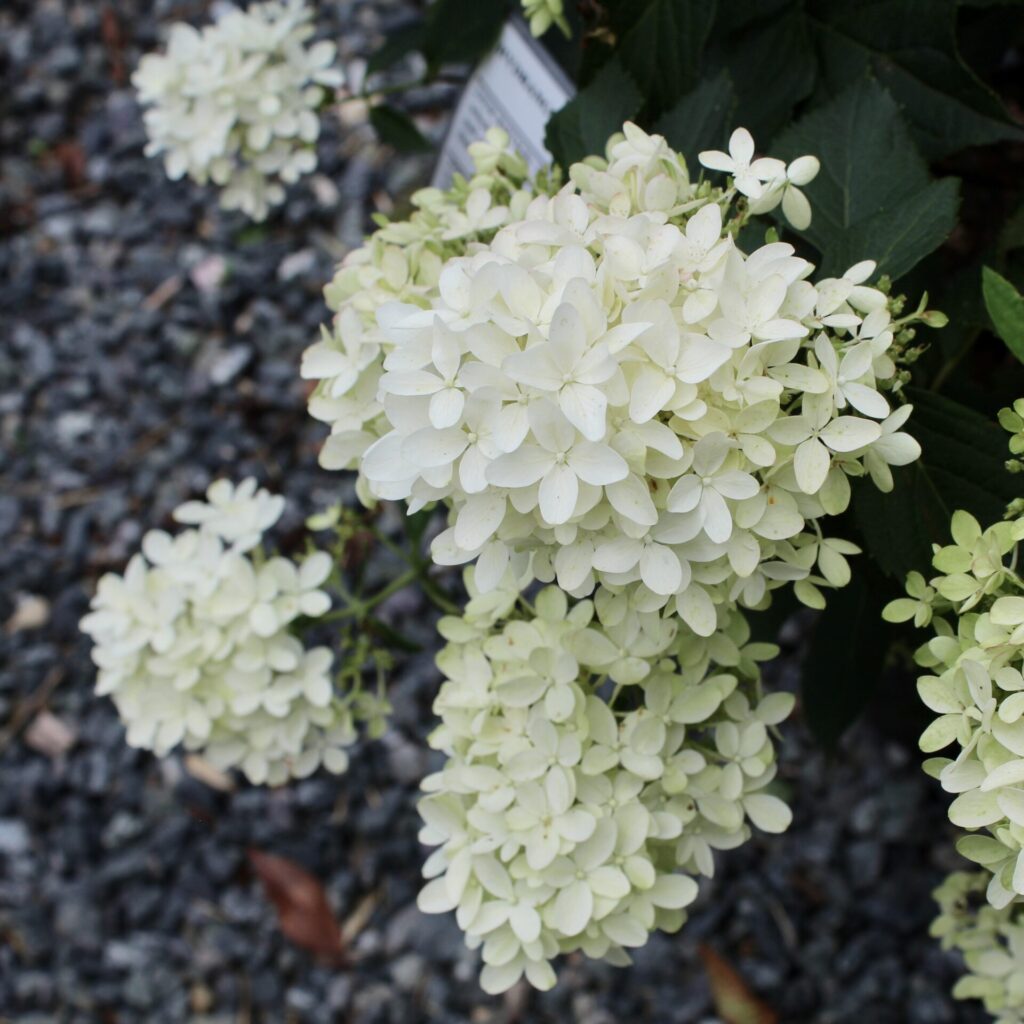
874	198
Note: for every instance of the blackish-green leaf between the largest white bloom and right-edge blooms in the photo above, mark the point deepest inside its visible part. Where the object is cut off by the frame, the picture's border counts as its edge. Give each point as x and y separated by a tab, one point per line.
962	467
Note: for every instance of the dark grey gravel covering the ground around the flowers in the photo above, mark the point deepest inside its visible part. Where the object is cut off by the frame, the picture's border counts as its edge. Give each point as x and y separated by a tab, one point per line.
148	345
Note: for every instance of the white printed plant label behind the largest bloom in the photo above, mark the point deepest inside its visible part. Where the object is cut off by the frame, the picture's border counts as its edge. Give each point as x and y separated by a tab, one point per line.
518	89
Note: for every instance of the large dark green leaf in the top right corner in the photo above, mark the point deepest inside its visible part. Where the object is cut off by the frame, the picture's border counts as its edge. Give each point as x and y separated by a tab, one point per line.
911	47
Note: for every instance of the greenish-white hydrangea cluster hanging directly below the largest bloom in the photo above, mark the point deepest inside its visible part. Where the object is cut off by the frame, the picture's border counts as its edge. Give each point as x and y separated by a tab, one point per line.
570	821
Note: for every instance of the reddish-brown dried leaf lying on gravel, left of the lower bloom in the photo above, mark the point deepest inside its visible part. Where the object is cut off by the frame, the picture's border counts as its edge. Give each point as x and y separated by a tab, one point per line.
304	912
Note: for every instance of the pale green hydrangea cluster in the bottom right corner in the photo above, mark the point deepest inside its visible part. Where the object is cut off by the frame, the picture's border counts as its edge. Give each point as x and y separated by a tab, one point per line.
992	942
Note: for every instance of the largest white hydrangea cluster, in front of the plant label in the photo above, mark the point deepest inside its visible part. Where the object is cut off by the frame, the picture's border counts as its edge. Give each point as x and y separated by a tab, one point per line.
611	393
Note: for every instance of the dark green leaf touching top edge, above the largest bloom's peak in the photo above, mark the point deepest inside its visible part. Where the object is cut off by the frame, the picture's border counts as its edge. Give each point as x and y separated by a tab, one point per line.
662	51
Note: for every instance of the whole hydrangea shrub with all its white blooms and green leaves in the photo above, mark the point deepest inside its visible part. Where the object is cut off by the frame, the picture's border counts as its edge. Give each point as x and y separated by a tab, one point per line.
636	408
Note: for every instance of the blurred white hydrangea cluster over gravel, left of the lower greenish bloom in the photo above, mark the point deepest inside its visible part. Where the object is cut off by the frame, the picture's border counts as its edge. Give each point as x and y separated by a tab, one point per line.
195	645
